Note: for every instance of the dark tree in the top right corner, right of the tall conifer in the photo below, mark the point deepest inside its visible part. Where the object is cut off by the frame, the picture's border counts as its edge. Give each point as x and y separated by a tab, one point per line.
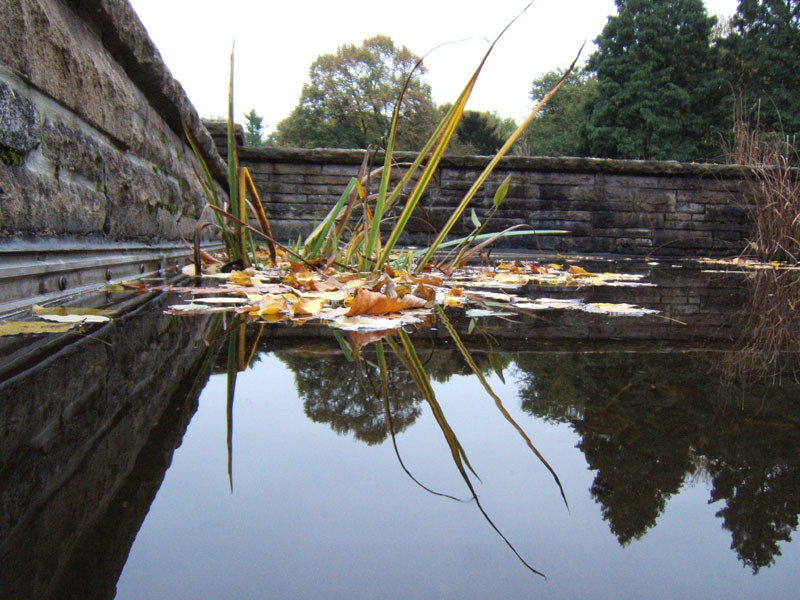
763	60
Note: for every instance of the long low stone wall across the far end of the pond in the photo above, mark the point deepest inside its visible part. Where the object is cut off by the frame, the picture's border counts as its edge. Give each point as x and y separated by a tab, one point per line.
608	207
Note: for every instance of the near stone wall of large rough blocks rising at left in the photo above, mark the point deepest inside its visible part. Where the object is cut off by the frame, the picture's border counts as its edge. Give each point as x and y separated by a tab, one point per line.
92	150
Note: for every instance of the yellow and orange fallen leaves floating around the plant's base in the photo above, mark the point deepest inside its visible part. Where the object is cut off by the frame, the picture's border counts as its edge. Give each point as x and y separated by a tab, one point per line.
394	298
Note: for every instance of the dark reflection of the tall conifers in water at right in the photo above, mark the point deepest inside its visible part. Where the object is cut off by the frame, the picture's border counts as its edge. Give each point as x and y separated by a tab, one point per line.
649	420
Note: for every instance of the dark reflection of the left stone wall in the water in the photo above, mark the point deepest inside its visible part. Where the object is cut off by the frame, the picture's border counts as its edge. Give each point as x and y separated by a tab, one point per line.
86	439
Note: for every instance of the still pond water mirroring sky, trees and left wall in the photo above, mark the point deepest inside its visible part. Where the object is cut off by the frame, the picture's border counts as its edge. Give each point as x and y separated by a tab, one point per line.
129	471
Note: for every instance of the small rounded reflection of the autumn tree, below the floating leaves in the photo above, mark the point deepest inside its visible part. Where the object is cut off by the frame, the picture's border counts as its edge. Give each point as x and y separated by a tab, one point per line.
347	395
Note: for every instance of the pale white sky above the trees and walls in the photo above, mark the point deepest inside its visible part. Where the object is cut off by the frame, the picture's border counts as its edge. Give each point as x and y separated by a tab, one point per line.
277	40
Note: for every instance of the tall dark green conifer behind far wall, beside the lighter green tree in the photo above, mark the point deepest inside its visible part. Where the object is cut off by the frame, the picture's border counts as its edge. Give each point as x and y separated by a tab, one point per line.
658	87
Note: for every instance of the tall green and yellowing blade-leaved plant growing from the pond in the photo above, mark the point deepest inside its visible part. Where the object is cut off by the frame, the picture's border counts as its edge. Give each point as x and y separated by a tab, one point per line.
350	236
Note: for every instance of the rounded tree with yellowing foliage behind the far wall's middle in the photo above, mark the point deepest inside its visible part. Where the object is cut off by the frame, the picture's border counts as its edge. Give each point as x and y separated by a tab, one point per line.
350	96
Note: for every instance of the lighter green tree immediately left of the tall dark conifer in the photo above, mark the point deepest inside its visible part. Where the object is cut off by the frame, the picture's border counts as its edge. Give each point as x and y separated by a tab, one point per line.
556	130
